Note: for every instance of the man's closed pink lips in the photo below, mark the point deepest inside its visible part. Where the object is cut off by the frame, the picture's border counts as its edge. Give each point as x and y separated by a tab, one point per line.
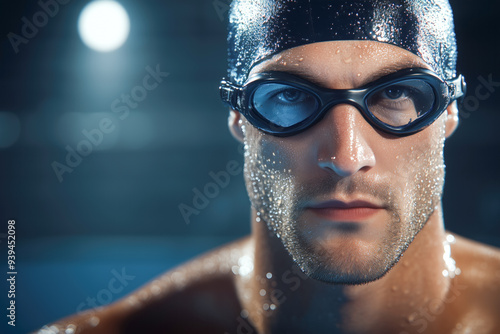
340	211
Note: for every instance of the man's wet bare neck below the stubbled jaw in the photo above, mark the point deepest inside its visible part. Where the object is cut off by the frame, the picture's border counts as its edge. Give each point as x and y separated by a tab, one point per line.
278	296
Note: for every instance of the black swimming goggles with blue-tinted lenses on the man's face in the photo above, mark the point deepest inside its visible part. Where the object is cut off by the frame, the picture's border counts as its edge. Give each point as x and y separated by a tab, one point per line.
400	103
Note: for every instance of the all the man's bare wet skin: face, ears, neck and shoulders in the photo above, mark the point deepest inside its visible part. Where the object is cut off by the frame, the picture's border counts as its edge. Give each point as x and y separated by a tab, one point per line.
392	187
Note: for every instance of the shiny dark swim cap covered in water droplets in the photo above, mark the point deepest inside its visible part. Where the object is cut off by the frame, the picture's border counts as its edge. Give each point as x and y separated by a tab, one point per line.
259	29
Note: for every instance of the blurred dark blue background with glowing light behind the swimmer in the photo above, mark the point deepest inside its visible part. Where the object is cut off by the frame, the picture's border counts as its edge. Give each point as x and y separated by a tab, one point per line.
154	141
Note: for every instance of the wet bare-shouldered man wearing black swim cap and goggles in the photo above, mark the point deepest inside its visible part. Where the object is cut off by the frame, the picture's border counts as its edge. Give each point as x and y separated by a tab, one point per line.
344	108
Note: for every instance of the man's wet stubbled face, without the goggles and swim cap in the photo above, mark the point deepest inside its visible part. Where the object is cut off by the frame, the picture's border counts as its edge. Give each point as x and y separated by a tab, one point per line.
345	199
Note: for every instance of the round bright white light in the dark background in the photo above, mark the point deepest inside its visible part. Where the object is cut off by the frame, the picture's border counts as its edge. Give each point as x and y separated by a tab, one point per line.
104	25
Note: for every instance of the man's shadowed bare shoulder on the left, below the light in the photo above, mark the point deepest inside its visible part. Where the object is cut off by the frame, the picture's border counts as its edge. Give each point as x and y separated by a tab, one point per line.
198	296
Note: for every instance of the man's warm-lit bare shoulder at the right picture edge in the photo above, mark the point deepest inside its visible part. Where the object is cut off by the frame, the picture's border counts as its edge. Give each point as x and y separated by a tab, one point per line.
479	281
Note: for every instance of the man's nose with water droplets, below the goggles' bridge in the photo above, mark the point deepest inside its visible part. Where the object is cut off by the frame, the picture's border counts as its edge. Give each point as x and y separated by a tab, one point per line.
344	148
